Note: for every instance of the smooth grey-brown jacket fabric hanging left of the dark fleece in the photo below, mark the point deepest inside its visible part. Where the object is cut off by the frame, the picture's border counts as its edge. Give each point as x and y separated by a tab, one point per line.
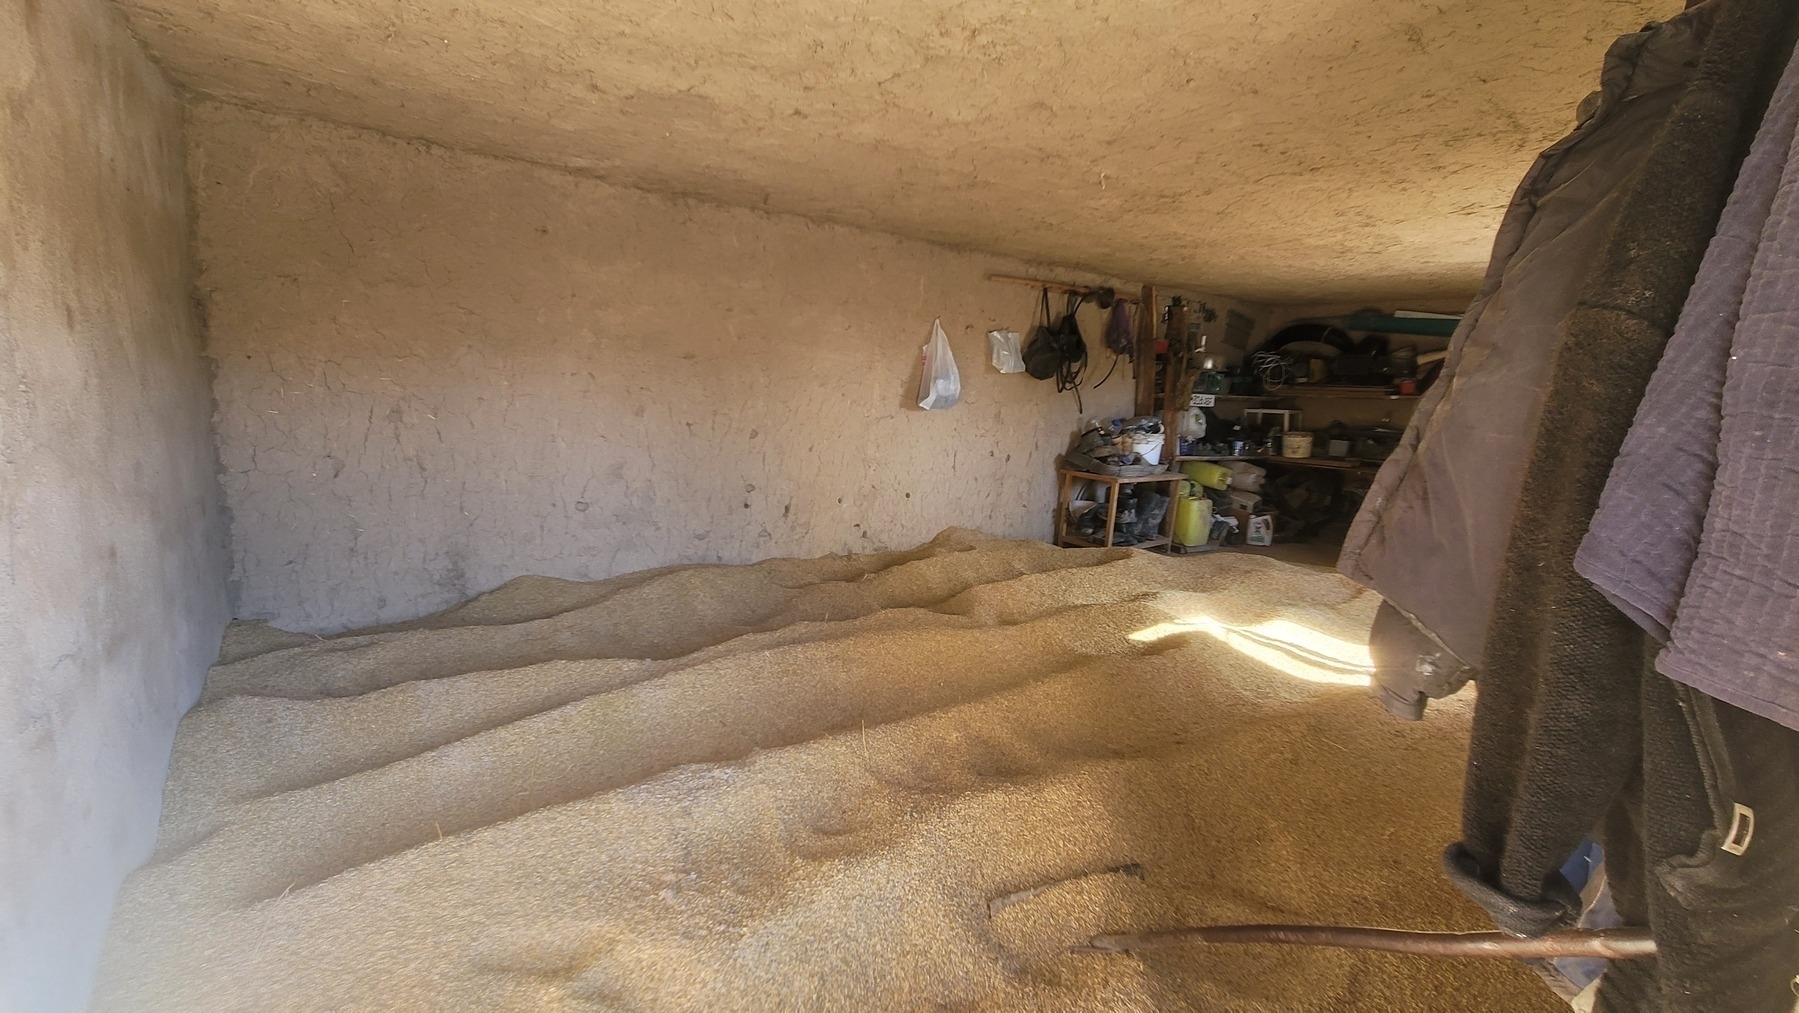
1433	532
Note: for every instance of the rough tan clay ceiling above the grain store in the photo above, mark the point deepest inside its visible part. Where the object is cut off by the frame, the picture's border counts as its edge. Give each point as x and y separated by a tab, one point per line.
1276	150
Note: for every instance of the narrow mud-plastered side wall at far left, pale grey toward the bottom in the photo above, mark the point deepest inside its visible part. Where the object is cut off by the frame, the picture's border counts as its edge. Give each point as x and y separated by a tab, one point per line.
112	569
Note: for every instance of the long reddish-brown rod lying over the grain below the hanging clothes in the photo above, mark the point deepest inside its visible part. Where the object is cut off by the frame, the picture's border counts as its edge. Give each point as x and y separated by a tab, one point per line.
1613	944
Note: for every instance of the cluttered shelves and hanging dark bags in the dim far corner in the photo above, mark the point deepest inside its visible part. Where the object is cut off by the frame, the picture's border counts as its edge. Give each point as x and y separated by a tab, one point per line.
1219	451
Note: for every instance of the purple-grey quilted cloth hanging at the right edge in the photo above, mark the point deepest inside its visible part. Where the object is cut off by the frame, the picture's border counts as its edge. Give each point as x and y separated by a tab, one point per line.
1697	535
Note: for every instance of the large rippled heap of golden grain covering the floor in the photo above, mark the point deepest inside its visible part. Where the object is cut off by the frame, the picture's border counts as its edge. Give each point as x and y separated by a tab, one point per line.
796	785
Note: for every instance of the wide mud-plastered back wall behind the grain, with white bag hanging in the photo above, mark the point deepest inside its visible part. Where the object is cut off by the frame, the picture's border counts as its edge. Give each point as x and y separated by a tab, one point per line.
440	372
